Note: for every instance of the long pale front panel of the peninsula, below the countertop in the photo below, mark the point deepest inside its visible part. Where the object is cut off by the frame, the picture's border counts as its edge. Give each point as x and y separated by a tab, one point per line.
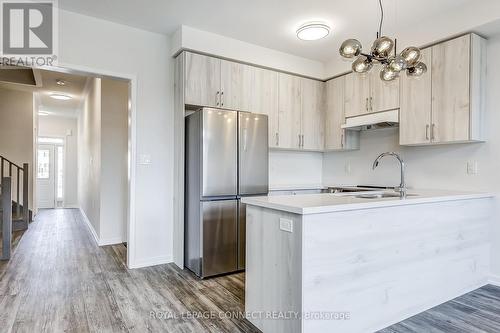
387	264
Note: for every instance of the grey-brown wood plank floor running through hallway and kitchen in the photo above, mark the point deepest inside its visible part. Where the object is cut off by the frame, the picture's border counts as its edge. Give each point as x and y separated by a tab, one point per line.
59	280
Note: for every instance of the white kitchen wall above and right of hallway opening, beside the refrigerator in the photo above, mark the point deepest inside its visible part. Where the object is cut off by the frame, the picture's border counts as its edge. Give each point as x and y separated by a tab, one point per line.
92	44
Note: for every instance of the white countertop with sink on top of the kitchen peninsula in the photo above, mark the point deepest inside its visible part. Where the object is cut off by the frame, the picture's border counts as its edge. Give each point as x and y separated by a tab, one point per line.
327	202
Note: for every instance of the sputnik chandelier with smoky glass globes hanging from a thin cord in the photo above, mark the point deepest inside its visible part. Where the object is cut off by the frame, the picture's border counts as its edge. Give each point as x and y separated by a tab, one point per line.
383	51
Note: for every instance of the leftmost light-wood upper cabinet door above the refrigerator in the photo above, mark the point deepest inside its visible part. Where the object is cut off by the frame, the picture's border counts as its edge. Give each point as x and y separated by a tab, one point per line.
202	80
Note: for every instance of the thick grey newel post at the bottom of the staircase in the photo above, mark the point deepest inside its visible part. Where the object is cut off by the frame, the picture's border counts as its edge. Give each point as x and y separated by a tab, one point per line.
6	205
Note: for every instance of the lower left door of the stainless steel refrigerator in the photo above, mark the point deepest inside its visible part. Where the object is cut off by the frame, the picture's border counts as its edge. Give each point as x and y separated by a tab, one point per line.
220	237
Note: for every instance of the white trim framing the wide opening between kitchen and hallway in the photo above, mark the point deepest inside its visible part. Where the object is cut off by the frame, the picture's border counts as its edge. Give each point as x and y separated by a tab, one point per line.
132	143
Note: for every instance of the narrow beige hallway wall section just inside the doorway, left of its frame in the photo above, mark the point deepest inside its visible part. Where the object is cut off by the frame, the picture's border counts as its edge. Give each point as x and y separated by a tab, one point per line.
114	149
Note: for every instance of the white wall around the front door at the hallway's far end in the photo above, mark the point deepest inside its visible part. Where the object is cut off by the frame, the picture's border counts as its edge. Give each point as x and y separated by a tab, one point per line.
57	126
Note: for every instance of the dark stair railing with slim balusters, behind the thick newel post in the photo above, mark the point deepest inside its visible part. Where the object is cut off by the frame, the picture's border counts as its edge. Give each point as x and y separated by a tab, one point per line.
14	170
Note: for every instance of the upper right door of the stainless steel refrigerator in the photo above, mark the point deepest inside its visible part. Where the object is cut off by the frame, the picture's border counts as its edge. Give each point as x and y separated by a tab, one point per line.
253	154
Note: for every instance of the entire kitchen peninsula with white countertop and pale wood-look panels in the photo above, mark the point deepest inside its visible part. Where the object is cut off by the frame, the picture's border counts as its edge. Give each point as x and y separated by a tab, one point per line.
340	263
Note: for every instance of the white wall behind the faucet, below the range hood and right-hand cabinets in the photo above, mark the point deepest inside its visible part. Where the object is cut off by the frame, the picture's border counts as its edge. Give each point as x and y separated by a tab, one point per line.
443	167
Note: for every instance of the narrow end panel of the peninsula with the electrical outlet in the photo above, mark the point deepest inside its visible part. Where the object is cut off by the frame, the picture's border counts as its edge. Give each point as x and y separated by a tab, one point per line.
273	270
